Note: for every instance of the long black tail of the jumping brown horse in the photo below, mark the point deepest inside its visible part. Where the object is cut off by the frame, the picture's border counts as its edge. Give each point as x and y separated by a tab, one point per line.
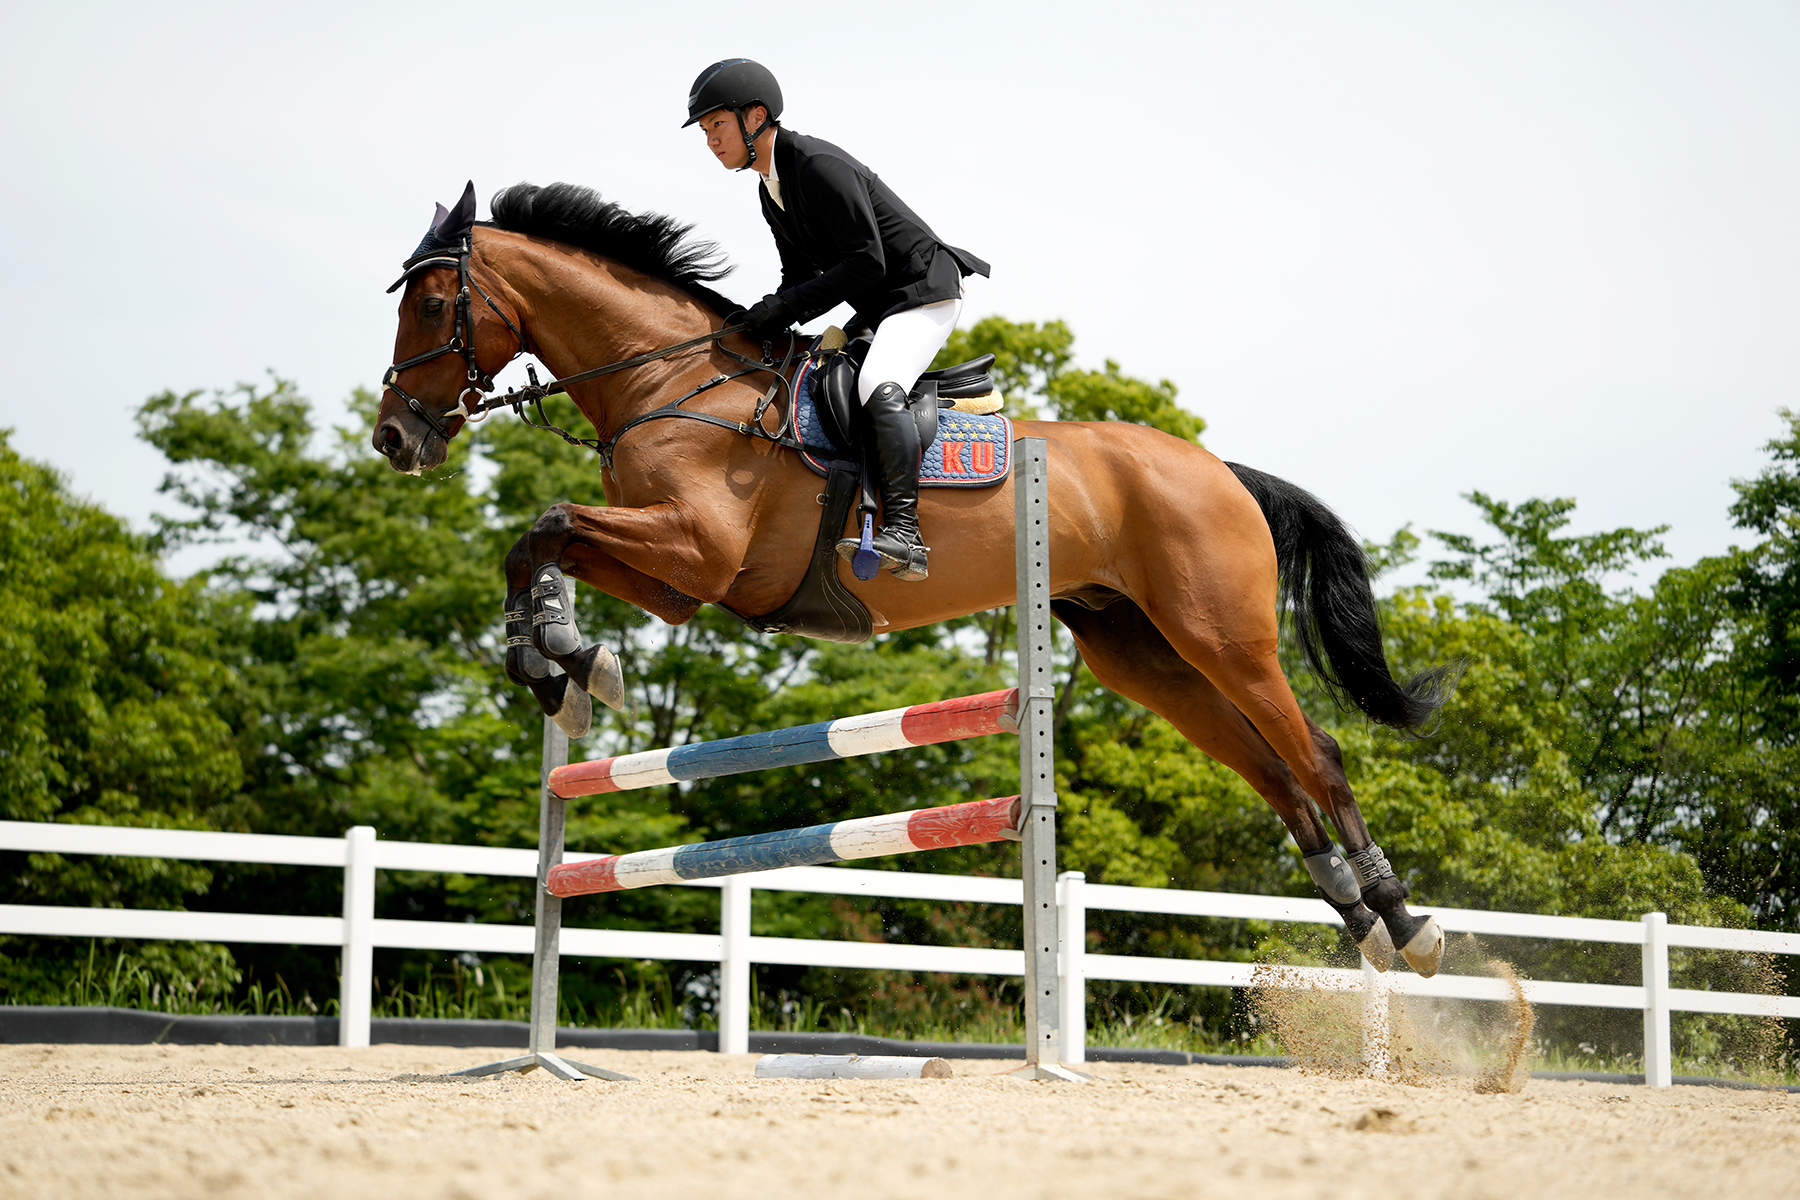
1324	580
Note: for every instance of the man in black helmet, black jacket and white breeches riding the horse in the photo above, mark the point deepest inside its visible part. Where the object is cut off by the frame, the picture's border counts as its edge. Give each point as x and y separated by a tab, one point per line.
845	237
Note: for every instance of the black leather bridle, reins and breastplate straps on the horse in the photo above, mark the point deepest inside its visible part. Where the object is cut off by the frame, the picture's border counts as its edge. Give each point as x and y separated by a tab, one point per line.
480	384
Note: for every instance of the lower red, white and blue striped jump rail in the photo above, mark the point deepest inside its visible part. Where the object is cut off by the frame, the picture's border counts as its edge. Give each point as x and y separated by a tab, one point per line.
865	837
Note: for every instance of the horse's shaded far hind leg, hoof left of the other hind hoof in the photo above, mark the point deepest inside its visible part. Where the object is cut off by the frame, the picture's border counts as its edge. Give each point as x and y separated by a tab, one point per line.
1129	656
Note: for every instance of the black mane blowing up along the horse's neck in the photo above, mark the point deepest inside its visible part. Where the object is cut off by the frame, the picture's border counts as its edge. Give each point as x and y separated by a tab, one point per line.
647	242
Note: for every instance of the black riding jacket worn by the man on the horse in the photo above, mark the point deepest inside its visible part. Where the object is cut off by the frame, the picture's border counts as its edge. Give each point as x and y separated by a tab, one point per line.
847	237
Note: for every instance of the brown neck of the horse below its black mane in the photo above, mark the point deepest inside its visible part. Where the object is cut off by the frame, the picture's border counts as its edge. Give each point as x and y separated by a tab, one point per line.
584	312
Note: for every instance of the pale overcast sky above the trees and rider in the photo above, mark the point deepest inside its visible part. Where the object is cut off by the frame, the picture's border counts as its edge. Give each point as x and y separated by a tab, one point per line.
1389	251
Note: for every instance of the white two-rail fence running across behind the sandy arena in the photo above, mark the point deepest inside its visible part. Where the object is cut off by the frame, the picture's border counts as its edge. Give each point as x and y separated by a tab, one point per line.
359	855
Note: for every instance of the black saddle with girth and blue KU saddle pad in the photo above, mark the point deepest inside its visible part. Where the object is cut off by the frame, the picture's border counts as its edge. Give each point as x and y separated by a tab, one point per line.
836	443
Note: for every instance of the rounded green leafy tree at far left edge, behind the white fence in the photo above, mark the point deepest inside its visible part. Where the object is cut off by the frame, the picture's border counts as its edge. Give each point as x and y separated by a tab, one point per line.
109	688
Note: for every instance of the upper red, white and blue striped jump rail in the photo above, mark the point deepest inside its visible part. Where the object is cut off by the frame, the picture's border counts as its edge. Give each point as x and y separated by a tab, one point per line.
852	737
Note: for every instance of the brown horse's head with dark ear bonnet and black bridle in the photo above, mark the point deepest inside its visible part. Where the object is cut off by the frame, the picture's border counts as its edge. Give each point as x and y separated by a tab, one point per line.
436	379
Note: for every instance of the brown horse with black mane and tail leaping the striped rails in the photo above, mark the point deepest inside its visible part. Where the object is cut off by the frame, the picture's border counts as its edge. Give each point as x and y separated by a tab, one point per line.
1169	568
